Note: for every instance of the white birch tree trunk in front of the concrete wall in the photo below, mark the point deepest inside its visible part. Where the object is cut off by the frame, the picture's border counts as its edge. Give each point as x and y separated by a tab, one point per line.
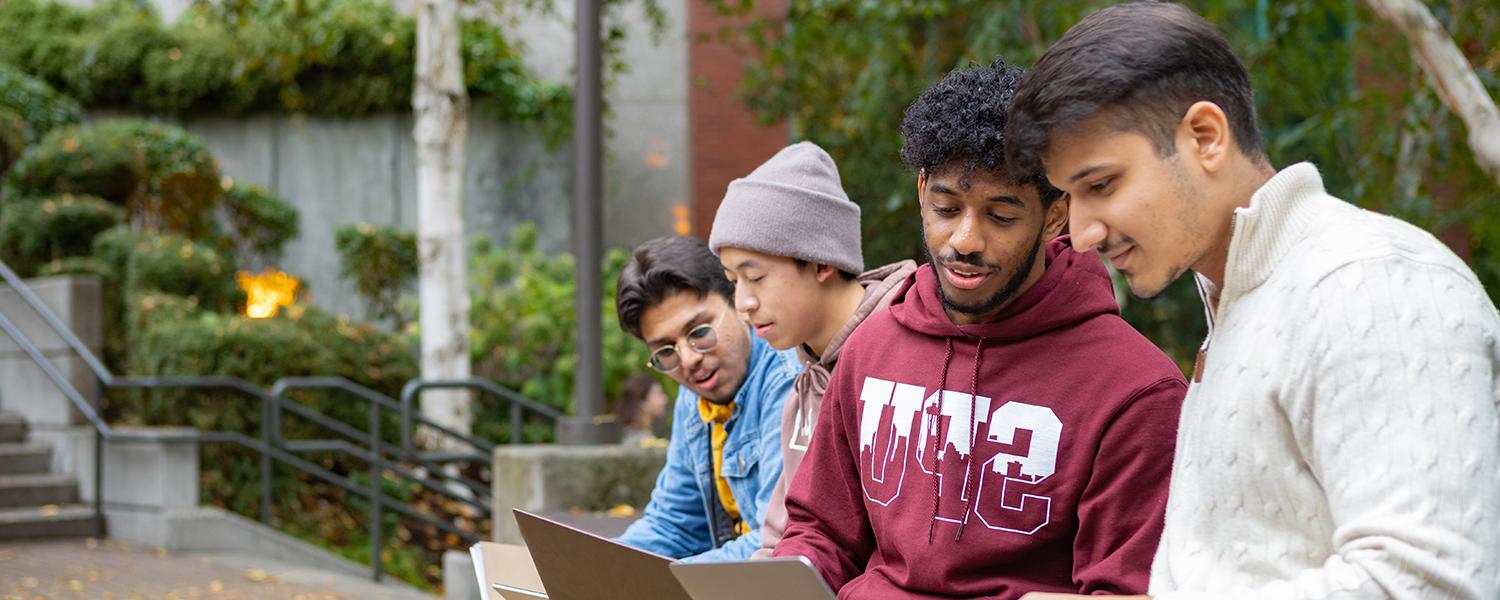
440	103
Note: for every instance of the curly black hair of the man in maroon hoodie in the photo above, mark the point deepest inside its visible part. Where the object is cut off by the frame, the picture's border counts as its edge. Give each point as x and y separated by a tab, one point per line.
961	124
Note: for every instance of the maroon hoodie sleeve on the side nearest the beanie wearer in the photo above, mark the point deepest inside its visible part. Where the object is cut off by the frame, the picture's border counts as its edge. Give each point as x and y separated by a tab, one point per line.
827	521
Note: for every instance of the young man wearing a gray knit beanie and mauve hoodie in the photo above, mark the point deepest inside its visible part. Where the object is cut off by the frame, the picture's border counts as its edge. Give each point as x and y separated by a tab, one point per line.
788	239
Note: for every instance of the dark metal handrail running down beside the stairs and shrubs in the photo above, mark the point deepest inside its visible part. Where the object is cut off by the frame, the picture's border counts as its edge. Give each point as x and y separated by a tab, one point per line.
272	446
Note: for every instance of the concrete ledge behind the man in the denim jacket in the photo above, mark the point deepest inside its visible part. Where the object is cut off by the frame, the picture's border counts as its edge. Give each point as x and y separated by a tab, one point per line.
563	478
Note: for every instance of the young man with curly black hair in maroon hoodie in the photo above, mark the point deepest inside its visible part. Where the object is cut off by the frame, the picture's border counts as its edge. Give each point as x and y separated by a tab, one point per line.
1000	430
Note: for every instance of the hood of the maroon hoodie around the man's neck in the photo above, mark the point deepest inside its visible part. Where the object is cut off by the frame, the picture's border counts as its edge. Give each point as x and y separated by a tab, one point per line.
1073	290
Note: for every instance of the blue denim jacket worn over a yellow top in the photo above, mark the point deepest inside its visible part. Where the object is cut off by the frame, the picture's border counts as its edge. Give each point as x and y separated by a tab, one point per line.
676	524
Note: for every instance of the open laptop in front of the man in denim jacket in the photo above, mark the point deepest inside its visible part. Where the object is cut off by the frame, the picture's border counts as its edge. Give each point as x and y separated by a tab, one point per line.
581	566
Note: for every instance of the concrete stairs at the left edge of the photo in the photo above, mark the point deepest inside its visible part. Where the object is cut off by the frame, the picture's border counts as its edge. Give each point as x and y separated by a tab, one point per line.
34	502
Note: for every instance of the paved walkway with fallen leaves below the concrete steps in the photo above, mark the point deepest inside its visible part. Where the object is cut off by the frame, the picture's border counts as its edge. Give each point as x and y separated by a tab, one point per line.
116	571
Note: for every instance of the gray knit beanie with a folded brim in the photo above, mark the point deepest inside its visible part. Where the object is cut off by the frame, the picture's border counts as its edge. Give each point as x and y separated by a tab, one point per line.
793	206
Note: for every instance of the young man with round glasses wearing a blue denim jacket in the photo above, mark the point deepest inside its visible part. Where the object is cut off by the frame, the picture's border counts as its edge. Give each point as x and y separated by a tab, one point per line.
725	455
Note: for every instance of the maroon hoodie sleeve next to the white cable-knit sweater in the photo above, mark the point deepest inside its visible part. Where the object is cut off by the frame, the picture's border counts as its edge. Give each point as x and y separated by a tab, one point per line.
1123	508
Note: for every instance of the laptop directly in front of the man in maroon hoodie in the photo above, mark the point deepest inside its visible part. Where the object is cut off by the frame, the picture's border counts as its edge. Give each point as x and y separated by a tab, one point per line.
778	578
